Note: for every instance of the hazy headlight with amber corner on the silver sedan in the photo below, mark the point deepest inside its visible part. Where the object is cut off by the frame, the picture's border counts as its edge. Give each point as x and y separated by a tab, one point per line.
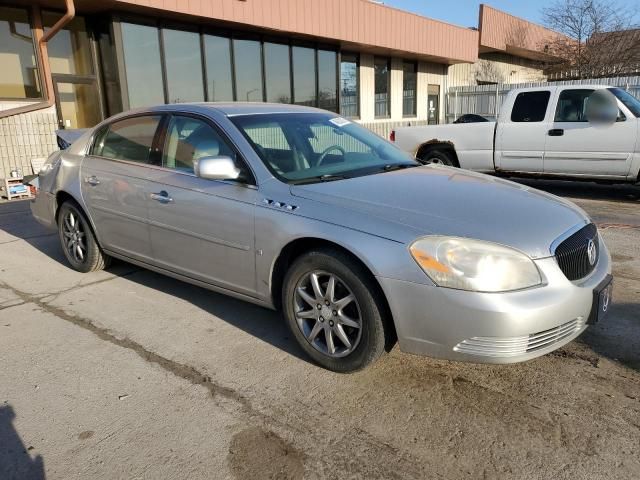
474	265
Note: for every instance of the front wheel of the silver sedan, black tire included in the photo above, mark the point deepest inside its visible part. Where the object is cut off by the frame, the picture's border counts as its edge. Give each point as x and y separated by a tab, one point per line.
338	319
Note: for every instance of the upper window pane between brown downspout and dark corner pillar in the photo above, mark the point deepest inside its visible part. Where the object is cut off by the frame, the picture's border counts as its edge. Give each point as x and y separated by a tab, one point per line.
70	49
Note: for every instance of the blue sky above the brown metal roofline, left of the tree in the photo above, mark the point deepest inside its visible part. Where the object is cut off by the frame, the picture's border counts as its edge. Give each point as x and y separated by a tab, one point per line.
465	12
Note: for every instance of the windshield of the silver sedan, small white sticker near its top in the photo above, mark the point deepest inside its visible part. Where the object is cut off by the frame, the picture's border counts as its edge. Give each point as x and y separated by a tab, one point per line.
315	147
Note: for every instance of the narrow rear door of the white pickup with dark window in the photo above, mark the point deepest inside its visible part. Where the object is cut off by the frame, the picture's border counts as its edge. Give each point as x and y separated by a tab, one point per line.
520	136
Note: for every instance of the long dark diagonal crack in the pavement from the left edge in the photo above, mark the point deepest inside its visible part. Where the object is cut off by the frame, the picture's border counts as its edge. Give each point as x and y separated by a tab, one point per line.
180	370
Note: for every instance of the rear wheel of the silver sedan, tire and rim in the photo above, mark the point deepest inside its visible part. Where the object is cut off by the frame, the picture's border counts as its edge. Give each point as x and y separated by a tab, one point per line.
77	240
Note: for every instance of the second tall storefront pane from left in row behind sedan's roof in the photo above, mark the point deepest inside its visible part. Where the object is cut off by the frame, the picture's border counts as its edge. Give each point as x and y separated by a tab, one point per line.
183	62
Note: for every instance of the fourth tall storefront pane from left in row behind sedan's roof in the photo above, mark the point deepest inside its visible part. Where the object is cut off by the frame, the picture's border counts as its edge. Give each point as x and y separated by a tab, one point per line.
248	66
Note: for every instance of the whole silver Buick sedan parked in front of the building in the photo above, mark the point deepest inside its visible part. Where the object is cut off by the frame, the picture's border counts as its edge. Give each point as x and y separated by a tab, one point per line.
359	245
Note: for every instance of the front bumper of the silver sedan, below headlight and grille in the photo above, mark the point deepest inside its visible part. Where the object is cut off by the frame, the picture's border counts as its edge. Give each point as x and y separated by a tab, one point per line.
494	327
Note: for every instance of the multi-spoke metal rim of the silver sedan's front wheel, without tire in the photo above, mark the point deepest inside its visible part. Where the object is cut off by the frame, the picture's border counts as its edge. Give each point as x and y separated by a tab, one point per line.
327	313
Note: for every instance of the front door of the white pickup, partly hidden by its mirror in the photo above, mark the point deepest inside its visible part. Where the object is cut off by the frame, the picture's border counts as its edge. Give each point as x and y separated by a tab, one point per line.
576	147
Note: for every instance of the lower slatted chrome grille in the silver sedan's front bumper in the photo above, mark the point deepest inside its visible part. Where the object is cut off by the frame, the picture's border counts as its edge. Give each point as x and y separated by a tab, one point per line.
514	346
